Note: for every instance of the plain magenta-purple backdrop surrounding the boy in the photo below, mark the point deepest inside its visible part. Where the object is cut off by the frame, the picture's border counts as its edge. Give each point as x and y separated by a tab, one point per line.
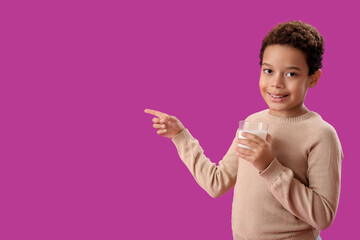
79	158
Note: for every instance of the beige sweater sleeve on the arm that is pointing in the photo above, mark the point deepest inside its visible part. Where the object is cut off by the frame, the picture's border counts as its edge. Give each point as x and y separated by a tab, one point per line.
215	180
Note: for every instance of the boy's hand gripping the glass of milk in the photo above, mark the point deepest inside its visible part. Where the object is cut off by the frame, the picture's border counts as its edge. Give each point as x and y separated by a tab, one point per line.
261	153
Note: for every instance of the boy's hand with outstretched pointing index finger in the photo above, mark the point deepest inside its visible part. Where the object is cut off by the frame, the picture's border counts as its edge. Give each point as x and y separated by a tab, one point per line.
168	126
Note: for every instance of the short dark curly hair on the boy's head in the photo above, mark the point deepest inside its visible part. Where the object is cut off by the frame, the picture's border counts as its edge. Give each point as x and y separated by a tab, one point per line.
299	35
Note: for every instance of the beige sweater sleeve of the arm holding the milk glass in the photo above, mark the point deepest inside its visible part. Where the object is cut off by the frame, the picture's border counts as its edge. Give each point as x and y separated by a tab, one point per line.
317	203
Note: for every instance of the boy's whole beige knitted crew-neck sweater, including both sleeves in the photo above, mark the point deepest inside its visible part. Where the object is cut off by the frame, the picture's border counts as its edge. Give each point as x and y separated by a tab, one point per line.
294	198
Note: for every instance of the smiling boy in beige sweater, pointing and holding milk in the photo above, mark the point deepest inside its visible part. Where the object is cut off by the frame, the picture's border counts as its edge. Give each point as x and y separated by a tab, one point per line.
287	186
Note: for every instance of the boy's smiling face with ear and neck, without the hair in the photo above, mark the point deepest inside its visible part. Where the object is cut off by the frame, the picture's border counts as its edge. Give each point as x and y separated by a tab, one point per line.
284	80
